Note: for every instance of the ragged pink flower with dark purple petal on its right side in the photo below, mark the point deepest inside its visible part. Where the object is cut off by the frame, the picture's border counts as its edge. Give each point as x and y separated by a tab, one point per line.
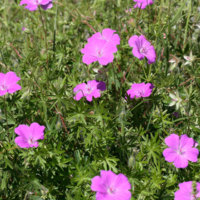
89	90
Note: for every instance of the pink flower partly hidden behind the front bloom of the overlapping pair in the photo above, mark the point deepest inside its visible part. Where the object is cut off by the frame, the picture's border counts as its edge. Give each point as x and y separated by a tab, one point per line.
108	35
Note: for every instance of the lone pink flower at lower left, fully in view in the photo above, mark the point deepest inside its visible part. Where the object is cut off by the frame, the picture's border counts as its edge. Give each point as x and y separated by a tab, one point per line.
28	136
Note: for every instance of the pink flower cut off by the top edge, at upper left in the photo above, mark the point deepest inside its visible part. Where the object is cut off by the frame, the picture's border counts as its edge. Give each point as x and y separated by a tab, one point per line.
33	4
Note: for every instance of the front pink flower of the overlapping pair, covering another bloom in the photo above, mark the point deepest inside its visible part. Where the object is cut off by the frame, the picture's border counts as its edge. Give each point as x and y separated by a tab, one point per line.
98	50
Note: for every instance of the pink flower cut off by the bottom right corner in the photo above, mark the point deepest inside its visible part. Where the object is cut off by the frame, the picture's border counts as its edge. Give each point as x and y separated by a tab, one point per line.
185	191
